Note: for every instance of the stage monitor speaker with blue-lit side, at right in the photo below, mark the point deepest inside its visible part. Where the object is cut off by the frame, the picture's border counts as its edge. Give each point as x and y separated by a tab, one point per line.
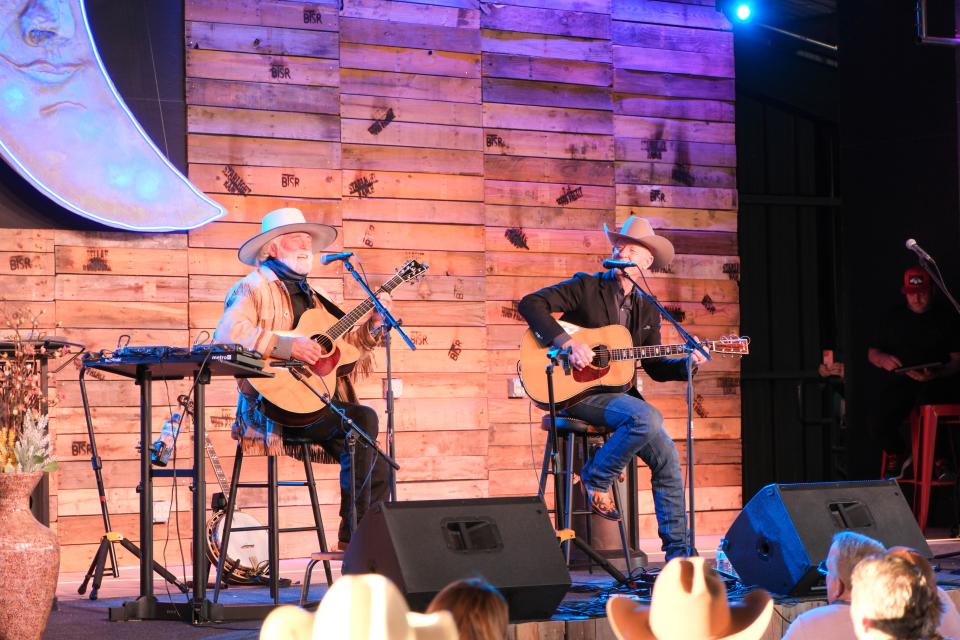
785	530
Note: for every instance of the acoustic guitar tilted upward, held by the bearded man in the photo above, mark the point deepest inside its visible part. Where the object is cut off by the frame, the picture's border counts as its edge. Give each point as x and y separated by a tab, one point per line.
339	357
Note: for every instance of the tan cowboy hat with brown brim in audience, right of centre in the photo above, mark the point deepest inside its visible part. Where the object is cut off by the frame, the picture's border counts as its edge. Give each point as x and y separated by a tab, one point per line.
690	603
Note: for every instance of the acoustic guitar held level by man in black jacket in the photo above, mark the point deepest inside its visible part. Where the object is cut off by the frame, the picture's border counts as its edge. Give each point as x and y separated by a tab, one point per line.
612	369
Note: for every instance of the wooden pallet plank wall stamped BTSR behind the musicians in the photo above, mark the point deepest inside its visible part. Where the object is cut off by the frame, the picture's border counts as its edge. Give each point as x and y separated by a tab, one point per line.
490	140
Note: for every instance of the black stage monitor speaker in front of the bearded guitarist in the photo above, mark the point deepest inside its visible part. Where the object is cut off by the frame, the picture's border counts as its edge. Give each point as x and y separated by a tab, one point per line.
425	545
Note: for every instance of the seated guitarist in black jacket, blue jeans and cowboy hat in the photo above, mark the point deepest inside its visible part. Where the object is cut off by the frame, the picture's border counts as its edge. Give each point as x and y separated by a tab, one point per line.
601	299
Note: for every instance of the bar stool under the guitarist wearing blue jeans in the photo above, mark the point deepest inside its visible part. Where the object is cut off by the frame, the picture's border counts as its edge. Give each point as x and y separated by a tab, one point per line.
571	431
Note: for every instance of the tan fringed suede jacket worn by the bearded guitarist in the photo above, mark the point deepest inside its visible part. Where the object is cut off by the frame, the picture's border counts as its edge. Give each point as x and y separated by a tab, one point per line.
256	307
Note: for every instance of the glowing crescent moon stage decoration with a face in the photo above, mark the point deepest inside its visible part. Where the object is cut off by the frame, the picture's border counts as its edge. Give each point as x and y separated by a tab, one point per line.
65	128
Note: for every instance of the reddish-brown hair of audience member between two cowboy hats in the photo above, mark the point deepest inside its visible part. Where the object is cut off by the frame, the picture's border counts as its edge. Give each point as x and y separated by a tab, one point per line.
480	611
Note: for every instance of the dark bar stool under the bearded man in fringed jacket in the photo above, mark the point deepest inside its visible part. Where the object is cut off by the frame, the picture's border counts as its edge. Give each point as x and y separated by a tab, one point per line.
272	527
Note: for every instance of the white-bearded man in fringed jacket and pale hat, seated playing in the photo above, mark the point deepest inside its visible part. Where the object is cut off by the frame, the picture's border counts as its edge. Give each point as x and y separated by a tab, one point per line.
272	298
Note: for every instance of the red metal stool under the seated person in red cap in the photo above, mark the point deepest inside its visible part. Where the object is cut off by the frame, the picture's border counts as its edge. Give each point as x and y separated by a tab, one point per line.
924	420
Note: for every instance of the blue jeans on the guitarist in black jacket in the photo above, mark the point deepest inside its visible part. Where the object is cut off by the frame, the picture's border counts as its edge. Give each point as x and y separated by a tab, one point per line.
637	430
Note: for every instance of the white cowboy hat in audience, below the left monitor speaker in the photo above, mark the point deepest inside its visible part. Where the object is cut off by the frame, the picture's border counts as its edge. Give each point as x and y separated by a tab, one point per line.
359	607
